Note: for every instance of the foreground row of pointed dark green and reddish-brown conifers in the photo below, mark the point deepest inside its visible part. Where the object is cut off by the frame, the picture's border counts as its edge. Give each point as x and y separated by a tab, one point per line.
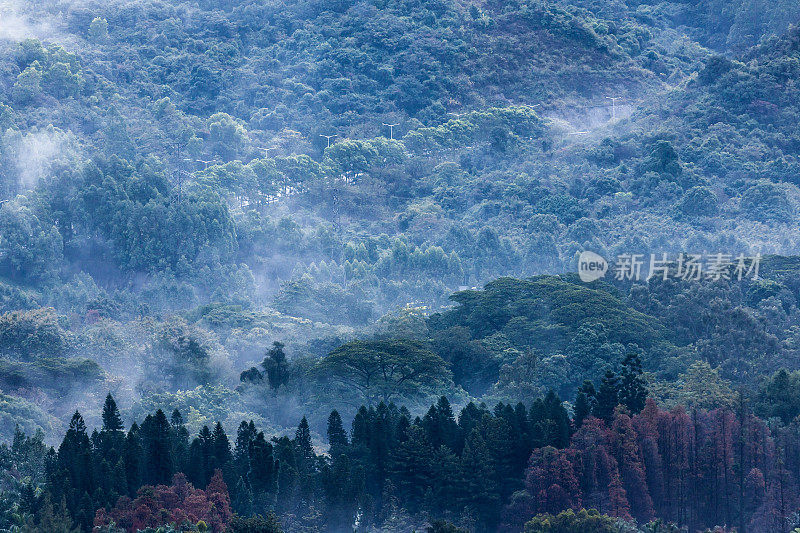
485	469
